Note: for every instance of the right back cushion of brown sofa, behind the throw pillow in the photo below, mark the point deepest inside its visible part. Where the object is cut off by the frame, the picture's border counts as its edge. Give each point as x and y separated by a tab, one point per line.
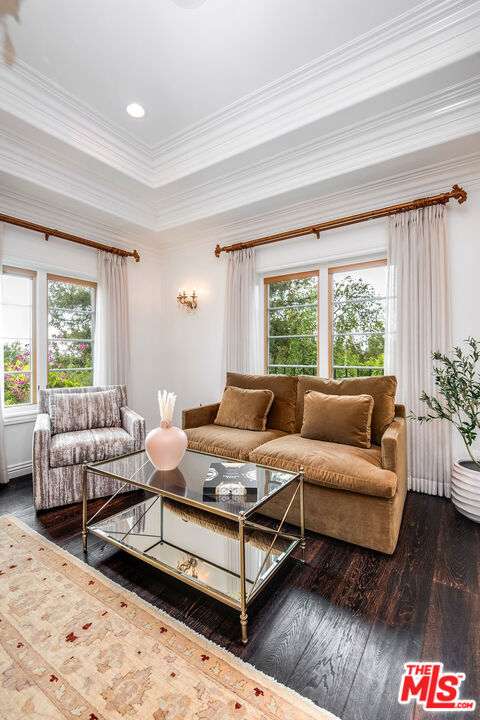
381	387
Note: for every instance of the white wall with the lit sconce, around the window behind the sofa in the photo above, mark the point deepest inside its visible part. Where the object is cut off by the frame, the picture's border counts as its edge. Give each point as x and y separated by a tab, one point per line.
192	365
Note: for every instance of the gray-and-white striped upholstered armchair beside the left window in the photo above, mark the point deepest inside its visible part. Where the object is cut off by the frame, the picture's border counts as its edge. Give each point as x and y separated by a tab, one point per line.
77	425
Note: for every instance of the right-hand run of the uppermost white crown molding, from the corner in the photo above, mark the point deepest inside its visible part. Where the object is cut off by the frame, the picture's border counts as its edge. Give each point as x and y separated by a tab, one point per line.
429	36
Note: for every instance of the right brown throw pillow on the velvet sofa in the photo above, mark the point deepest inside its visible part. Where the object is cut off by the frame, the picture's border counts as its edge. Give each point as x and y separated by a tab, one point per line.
345	419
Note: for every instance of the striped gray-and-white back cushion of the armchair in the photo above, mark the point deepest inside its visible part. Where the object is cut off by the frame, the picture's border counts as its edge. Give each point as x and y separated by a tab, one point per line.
70	412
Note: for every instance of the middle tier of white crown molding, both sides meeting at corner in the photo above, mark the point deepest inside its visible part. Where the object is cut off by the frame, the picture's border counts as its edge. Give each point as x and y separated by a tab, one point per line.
438	118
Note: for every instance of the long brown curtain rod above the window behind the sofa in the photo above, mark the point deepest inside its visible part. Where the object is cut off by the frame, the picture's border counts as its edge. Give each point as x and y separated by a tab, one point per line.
456	193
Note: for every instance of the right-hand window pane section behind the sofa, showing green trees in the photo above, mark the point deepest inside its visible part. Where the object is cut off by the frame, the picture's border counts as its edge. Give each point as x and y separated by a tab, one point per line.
357	319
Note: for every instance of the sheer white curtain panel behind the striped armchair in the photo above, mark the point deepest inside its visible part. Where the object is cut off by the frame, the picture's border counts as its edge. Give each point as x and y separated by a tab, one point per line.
111	352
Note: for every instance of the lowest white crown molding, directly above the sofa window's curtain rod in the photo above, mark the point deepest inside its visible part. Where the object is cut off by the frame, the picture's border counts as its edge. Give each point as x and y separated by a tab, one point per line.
402	187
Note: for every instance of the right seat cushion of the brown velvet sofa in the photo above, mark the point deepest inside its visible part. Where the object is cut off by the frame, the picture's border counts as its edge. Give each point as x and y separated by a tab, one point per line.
330	464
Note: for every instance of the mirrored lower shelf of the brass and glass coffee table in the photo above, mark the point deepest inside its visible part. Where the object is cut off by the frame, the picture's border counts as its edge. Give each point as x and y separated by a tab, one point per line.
232	562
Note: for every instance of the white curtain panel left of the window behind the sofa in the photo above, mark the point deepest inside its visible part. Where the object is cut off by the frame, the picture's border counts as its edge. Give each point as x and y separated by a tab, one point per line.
239	329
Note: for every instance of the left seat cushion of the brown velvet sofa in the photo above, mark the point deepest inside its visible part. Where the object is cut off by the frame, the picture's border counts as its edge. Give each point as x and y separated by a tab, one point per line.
229	442
